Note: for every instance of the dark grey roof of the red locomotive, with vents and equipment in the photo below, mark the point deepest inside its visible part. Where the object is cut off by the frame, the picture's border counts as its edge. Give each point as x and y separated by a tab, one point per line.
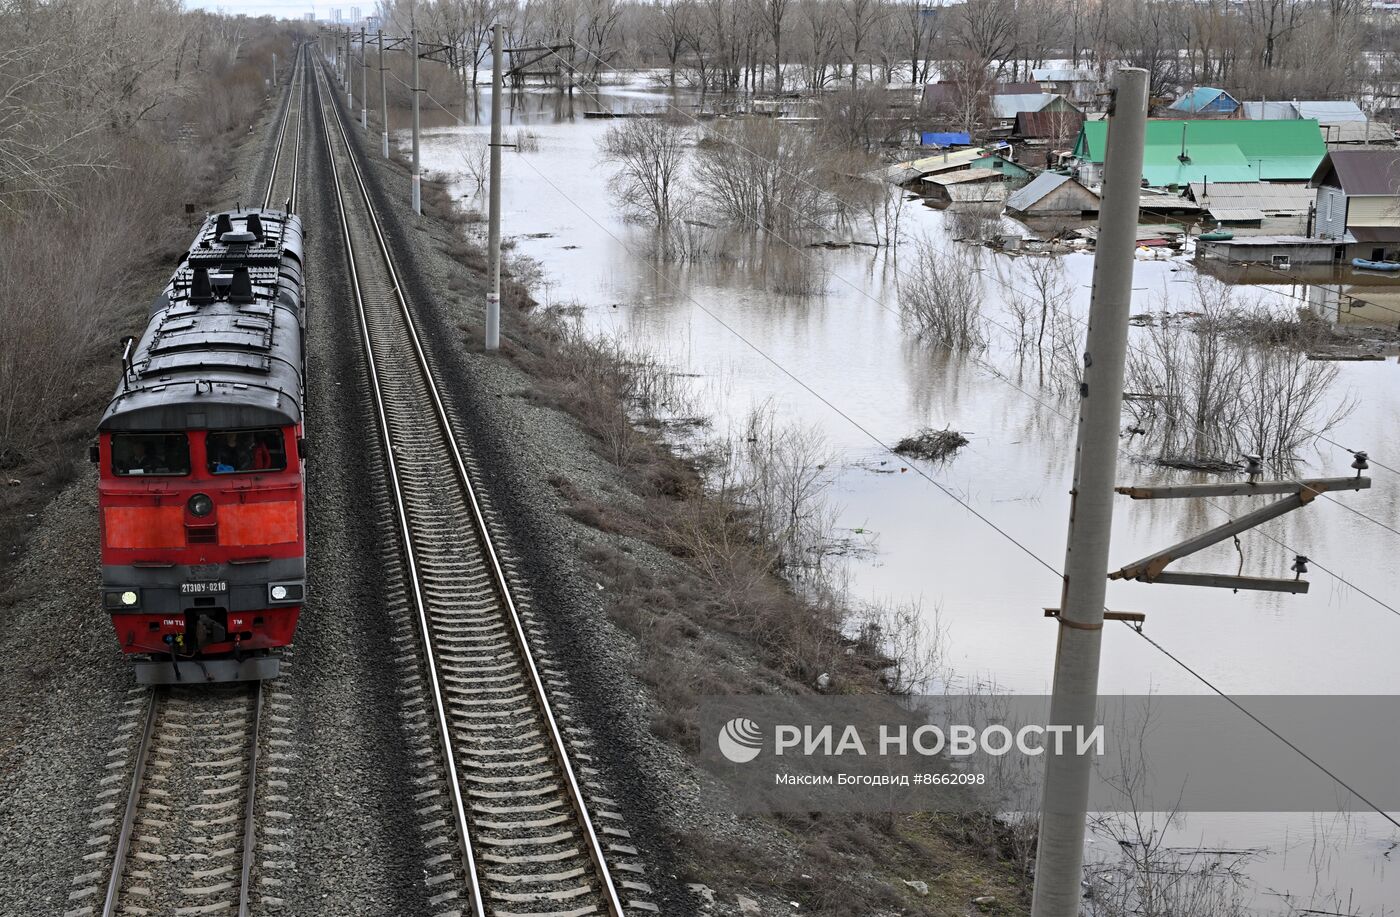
223	344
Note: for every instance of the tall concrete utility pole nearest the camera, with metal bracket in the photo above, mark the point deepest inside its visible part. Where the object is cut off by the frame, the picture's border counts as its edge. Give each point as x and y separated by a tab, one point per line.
1065	806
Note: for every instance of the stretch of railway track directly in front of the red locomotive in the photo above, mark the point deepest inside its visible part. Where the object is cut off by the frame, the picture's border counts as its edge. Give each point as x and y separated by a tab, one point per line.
187	839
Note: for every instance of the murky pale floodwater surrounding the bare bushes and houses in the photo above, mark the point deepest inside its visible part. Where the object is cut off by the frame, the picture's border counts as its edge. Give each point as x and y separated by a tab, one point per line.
845	365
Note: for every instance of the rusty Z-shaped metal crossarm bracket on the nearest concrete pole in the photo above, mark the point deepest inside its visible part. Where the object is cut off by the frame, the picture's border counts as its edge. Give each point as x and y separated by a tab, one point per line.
1153	569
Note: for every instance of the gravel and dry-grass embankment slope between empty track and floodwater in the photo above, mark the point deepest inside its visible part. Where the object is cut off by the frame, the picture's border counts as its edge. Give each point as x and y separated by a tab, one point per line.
666	590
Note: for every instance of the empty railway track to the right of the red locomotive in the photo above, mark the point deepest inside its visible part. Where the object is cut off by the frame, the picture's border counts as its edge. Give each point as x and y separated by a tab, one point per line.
528	845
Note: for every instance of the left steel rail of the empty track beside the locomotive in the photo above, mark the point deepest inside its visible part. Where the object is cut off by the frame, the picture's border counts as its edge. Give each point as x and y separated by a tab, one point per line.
405	534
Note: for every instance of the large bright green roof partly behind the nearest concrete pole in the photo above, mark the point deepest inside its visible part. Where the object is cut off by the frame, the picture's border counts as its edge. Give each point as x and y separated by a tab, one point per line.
1184	152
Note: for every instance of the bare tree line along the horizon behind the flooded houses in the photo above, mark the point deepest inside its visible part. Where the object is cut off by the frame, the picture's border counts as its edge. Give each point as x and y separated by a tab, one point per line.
1258	48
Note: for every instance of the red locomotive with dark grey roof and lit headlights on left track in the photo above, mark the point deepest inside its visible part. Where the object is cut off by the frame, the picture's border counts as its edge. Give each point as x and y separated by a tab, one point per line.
201	454
